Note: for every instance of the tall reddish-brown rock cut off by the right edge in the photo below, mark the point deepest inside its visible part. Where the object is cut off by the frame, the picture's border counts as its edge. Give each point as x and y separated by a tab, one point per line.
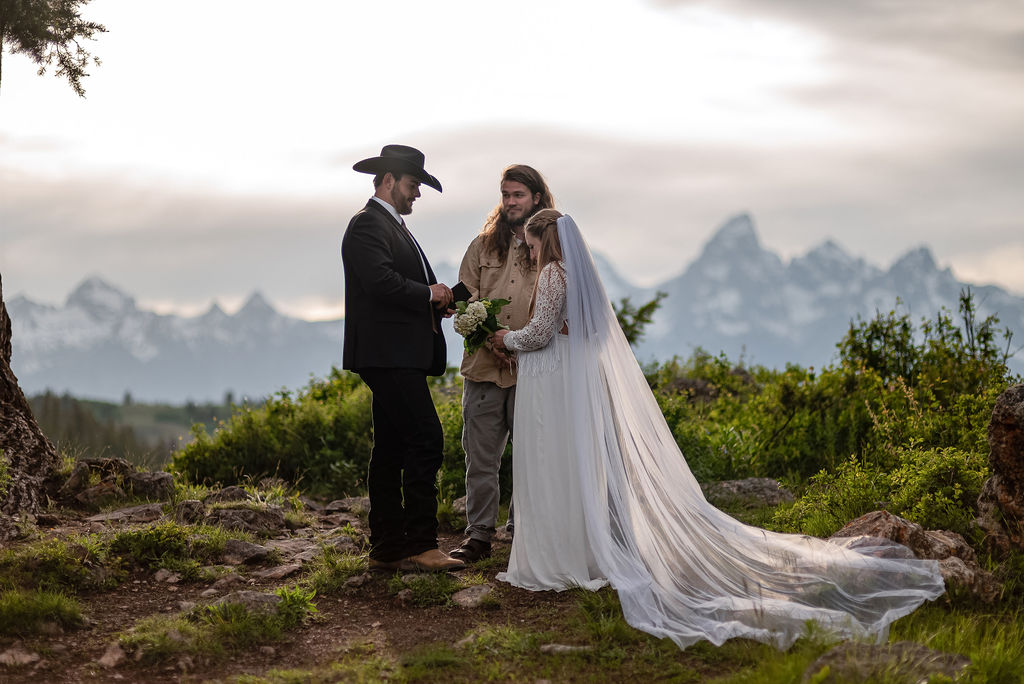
1001	506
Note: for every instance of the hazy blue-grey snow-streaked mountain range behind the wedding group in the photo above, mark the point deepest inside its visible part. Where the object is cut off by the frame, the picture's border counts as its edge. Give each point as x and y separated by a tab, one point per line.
736	297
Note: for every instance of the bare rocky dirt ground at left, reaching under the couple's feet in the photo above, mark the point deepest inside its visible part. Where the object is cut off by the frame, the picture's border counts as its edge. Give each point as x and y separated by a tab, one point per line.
368	615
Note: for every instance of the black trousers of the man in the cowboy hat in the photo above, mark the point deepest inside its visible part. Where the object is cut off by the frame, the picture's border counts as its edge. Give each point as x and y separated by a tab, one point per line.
404	464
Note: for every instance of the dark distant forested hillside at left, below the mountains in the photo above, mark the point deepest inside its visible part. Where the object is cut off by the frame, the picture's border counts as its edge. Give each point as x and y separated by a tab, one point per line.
146	435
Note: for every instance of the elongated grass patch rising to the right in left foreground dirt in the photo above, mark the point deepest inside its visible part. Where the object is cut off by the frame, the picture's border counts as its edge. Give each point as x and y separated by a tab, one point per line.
214	630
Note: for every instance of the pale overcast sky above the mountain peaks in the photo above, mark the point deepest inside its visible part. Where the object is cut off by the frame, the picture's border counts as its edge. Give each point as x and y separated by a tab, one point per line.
212	156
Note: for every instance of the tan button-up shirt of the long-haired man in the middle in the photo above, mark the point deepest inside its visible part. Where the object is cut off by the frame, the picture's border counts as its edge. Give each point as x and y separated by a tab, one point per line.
488	278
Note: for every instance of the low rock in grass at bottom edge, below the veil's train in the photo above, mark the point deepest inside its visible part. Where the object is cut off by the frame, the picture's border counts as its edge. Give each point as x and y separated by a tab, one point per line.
901	662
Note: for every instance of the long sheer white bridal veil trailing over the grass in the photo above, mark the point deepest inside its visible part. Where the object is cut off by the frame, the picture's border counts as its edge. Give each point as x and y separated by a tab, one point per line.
684	570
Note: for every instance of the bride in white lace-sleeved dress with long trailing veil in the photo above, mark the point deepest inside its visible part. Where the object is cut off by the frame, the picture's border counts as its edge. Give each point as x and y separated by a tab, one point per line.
604	495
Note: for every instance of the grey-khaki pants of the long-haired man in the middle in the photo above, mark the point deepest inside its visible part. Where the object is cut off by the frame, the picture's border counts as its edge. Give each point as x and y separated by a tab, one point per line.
488	413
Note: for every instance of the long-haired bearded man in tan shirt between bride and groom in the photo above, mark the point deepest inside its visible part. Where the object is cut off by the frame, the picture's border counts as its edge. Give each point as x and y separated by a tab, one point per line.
497	266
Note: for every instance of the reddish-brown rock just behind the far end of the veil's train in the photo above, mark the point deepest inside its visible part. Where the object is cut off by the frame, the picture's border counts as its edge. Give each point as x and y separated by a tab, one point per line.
958	562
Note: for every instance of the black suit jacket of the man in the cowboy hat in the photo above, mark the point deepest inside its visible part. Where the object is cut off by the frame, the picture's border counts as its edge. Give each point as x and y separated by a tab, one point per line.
390	320
